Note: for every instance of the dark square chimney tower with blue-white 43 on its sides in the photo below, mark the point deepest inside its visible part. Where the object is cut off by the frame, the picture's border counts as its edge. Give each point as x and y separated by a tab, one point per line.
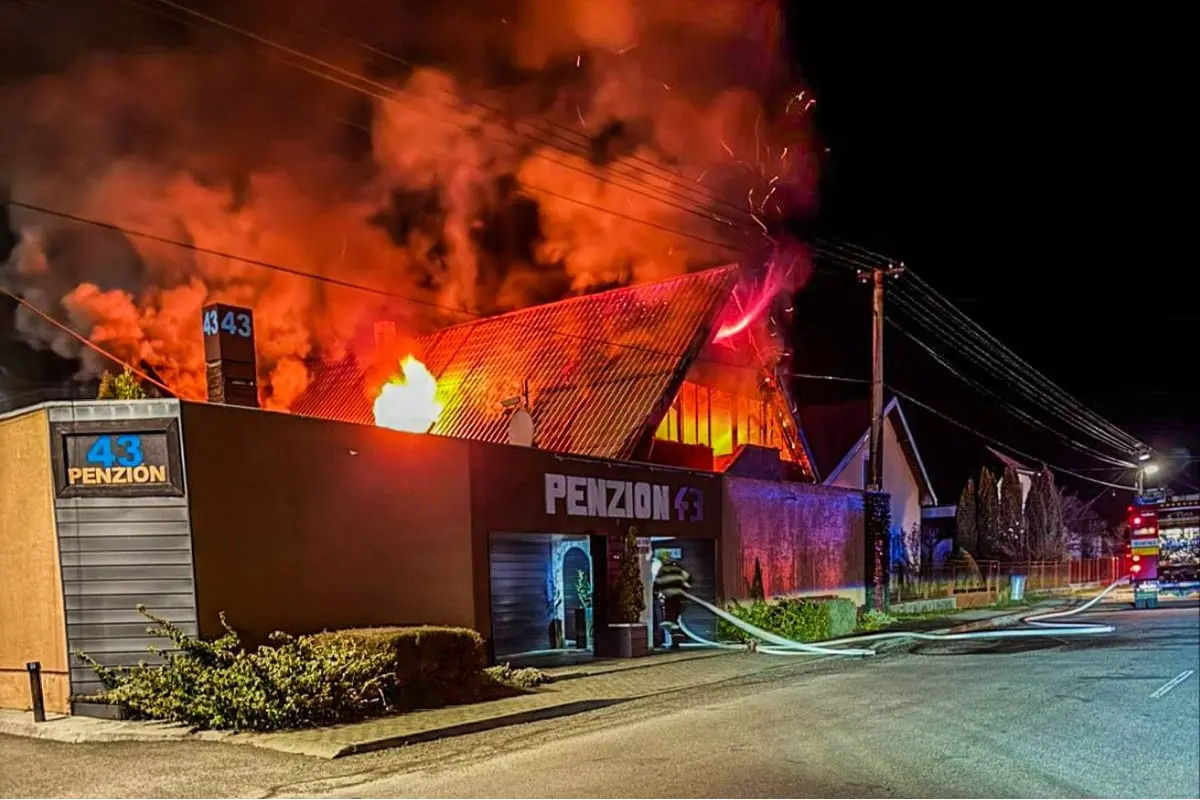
230	356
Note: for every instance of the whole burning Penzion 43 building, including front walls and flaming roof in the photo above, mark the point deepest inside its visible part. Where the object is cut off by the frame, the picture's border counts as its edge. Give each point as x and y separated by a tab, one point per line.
531	444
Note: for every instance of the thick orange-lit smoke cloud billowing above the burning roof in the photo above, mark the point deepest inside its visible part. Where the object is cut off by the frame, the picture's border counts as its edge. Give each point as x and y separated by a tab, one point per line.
452	188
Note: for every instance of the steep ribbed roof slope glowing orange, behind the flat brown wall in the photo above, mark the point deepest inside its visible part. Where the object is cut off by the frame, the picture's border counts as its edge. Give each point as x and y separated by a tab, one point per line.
597	371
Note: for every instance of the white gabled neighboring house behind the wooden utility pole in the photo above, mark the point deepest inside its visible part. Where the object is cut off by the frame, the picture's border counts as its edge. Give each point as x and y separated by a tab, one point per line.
838	437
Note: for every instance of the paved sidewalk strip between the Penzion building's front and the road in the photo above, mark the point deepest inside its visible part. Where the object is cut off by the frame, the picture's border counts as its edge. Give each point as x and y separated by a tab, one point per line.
574	690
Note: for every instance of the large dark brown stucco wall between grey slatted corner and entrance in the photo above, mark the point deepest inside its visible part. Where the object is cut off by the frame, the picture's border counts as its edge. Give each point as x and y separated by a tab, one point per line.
303	525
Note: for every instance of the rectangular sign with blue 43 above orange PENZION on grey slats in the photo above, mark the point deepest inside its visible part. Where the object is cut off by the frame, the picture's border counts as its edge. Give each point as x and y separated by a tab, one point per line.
127	459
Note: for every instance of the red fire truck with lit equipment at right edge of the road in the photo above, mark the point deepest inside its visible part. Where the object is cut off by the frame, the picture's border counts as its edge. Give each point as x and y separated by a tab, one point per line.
1163	551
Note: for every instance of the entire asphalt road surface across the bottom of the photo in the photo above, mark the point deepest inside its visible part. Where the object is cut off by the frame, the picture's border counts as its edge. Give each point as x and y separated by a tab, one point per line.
1043	718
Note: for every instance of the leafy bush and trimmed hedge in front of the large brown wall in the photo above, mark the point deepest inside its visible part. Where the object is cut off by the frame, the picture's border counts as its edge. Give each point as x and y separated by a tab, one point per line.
302	682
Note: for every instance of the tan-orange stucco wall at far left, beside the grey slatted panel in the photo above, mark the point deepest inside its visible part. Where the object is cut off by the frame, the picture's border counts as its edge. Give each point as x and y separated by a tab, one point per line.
33	627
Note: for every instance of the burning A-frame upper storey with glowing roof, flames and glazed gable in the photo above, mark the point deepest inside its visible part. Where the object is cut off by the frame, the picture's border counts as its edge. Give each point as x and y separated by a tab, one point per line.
673	372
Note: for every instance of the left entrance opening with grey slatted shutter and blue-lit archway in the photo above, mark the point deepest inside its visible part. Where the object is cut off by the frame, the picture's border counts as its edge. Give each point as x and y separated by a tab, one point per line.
542	597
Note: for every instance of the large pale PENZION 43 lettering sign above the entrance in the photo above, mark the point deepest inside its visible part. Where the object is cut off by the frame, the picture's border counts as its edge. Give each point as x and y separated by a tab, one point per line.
604	498
